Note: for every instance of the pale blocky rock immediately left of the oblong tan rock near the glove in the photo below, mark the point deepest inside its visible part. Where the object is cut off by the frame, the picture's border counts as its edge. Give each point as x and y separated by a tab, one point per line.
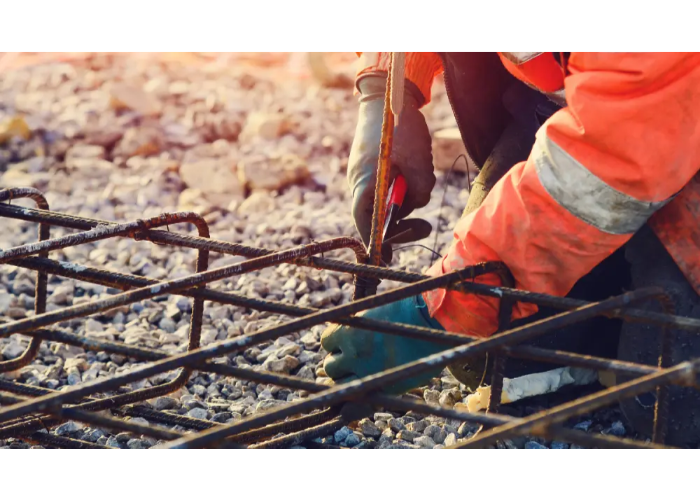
213	179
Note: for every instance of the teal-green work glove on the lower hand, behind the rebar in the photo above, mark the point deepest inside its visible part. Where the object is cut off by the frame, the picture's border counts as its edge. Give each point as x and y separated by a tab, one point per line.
355	353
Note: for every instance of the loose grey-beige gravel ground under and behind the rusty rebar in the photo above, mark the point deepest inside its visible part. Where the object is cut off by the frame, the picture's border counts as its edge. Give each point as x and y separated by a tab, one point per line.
263	159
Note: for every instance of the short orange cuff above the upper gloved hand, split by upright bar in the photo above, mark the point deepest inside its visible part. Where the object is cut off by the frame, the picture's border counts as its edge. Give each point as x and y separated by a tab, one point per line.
421	67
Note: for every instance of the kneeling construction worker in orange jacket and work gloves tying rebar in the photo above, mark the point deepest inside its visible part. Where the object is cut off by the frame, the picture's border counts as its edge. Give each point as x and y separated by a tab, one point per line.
581	154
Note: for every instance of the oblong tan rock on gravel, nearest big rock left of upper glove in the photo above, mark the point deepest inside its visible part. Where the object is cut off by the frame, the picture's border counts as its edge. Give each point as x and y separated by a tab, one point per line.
272	173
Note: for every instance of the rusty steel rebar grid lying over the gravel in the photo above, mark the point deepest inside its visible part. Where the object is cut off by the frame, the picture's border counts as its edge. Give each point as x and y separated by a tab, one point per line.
28	411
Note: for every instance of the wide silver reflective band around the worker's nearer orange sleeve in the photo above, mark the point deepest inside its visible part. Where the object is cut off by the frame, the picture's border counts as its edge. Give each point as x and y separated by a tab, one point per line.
586	196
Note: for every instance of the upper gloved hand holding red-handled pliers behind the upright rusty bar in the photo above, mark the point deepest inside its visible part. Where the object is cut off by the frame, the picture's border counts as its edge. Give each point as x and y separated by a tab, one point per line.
411	156
